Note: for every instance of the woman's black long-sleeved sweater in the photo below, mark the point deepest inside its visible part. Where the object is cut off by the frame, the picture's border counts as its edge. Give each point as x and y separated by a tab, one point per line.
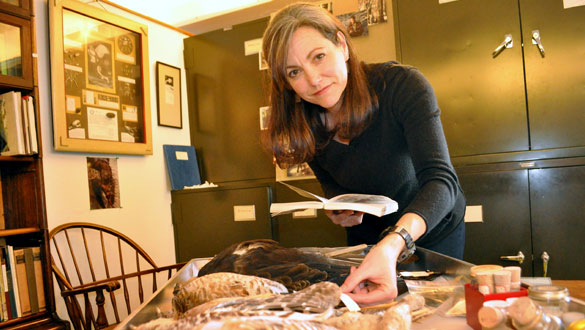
402	154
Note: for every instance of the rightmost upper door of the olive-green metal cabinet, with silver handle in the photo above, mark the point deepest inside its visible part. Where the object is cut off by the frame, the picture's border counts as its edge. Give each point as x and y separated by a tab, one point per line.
555	83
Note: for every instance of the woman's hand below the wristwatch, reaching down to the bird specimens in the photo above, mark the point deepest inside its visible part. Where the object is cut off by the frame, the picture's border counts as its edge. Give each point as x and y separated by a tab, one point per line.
374	281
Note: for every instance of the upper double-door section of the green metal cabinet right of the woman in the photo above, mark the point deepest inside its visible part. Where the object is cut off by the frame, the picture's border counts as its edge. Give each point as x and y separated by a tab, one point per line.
518	101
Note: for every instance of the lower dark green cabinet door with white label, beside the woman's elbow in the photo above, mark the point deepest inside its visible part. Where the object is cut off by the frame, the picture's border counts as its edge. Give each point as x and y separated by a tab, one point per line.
503	198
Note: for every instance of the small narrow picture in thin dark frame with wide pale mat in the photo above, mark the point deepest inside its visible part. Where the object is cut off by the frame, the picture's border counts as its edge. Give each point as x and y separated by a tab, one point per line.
168	95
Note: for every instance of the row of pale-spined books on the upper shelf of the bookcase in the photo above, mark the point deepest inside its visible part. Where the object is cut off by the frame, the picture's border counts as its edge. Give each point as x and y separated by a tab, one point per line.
18	127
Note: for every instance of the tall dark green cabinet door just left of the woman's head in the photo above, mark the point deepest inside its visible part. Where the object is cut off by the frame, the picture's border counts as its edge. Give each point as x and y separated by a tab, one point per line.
225	95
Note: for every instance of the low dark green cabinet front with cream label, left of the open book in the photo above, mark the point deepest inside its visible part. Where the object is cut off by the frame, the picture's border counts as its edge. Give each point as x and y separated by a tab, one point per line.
209	220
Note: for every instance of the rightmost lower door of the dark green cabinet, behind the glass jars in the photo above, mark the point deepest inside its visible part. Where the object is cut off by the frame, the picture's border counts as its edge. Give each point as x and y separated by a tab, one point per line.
557	198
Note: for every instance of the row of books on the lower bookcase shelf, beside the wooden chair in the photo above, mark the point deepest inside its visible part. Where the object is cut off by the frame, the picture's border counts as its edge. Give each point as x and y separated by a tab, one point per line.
21	282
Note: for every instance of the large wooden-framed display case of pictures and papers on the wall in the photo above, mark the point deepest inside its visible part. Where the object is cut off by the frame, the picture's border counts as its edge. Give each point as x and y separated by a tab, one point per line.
100	81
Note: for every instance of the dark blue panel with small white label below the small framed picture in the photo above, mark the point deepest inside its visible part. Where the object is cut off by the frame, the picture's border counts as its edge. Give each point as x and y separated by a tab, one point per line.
182	166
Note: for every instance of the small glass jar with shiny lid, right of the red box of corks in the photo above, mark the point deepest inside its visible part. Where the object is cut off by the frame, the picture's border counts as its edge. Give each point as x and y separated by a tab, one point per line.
554	299
